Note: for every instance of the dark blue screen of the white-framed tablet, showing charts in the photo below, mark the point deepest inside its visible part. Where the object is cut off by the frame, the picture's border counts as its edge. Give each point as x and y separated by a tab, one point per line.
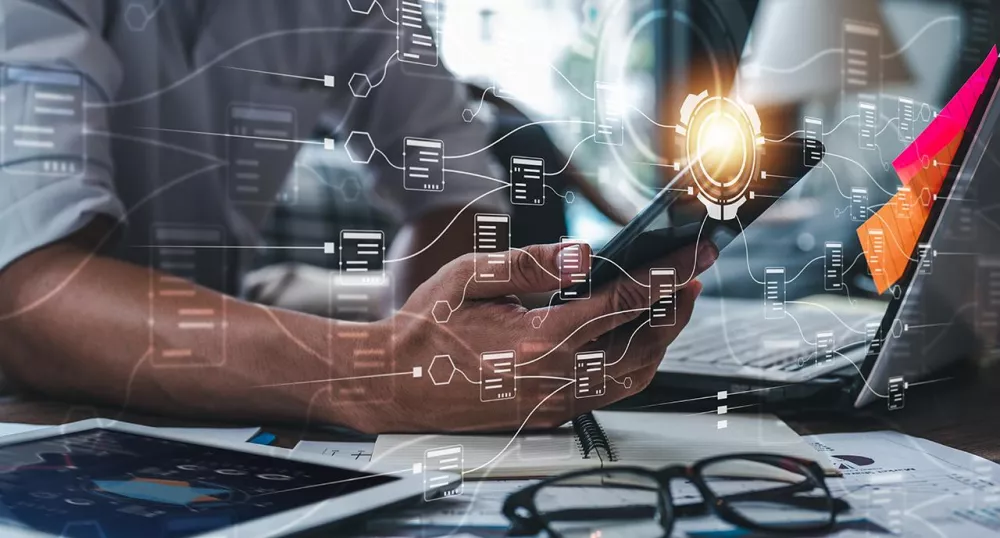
110	484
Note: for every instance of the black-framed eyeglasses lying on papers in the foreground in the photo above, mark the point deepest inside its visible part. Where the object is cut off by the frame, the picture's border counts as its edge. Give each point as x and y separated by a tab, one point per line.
756	492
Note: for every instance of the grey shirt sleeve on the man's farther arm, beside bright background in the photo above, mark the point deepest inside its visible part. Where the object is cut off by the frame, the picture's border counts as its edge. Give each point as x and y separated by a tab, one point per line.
407	100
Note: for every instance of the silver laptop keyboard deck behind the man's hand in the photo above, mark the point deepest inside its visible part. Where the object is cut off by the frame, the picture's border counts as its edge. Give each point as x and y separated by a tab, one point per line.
737	336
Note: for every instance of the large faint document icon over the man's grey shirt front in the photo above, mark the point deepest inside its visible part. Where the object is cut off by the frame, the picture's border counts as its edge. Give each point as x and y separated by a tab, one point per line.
259	150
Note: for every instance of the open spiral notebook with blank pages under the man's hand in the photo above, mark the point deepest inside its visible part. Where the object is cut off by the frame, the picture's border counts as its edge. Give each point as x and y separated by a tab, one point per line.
604	439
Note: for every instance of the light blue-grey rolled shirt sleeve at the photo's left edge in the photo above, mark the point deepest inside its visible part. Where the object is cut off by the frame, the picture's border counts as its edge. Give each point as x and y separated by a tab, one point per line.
54	177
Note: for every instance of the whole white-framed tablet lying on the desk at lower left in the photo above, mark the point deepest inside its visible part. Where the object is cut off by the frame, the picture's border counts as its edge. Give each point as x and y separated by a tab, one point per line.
107	479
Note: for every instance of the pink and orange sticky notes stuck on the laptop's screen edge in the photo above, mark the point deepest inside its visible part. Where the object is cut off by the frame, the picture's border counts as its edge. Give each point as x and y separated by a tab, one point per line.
890	236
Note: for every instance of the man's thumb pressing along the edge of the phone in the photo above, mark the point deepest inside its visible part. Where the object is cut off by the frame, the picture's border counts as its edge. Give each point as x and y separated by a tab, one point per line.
534	269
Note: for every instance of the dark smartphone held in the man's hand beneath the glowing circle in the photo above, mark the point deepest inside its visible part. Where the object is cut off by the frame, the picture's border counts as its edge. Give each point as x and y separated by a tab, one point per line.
675	218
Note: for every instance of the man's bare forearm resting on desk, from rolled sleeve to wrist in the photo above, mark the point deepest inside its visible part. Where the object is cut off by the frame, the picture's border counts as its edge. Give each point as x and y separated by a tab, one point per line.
78	326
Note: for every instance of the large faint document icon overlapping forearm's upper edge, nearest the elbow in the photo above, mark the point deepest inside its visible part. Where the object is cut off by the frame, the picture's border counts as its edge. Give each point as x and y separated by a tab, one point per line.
187	322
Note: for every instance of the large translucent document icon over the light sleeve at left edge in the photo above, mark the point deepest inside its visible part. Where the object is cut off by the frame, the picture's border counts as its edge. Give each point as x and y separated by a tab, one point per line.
42	113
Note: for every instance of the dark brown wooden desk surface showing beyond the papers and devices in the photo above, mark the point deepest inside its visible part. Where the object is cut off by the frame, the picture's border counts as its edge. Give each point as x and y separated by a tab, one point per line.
960	413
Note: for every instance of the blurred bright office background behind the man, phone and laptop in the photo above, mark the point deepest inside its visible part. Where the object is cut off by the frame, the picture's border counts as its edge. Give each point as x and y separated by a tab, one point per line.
537	61
